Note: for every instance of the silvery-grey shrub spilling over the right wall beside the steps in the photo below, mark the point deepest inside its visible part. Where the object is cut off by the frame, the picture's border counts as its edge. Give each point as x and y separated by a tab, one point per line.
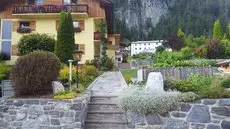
146	102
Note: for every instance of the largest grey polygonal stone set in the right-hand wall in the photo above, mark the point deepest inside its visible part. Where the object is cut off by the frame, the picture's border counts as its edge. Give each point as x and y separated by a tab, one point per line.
199	114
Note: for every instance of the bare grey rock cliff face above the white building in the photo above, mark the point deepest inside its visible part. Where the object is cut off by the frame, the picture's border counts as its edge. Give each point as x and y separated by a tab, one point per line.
140	15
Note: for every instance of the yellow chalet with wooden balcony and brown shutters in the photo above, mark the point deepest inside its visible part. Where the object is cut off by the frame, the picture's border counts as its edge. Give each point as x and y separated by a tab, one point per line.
42	16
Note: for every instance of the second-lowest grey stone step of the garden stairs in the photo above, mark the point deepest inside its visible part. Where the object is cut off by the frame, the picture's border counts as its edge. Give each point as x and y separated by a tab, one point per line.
106	116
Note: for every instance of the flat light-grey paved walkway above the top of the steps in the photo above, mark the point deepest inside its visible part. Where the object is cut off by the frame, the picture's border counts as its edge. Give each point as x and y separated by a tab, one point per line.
109	84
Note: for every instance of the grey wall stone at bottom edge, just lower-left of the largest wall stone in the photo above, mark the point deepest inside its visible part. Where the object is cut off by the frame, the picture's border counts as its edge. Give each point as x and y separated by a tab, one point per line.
177	124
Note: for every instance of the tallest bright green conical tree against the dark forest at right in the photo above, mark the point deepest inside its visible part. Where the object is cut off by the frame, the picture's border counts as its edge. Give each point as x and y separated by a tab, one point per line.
217	30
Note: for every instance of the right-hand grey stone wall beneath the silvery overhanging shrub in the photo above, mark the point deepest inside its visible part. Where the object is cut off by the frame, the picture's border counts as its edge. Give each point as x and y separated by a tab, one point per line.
203	114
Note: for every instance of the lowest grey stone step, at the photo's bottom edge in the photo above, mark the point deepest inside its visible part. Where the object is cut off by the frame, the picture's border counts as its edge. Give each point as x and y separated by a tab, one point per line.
92	124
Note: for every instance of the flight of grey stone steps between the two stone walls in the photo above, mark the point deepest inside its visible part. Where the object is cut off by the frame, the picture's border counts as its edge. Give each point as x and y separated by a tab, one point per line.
104	113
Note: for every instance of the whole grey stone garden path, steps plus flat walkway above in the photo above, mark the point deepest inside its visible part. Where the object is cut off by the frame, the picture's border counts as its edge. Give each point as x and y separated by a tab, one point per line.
104	112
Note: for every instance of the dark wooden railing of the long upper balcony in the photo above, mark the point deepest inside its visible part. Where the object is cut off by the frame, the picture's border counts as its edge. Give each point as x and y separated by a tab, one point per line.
25	9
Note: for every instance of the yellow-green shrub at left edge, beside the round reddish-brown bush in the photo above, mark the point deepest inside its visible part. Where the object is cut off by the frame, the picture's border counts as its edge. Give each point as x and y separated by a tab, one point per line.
4	71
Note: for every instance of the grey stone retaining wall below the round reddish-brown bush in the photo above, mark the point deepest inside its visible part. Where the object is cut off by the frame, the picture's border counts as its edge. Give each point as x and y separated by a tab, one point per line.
44	113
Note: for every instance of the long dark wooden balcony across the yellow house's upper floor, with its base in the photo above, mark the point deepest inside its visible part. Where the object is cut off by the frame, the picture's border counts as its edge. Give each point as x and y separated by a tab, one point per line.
50	11
